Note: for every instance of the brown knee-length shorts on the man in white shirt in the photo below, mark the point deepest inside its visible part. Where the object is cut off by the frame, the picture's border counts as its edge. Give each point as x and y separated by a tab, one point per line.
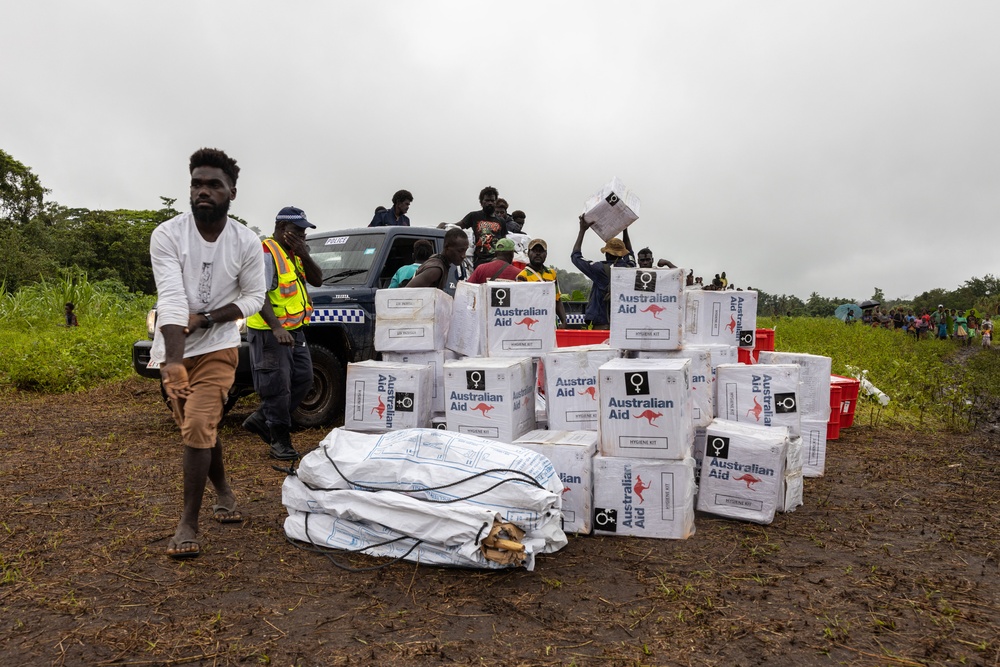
210	376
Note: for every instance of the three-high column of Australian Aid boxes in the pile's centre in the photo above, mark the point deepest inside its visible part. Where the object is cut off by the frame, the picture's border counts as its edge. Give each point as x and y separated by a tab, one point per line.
644	482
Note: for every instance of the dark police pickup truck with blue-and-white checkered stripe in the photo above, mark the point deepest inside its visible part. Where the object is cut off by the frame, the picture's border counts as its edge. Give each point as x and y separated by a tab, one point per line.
355	263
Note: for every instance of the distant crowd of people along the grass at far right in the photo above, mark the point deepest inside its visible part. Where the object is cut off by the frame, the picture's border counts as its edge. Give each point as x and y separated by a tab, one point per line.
942	323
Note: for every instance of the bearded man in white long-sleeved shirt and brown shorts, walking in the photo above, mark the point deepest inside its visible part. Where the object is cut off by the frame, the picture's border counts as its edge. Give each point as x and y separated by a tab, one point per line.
209	272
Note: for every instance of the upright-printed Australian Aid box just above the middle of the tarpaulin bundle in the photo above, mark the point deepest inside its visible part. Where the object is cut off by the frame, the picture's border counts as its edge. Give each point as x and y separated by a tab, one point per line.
490	397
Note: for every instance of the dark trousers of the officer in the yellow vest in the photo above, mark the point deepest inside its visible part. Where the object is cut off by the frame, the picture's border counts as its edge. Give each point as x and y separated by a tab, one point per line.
282	375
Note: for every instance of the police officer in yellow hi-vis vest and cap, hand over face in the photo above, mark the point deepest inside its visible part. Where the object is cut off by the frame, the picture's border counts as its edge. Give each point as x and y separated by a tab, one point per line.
279	354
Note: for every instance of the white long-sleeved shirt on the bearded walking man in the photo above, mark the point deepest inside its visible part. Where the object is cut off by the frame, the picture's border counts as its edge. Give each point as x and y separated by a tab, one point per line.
193	276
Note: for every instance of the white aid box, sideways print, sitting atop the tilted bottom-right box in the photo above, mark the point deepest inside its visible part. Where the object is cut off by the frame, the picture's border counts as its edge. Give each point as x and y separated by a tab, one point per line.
762	394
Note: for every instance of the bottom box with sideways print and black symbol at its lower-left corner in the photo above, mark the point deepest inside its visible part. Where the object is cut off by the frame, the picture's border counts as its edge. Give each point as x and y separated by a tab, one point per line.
644	497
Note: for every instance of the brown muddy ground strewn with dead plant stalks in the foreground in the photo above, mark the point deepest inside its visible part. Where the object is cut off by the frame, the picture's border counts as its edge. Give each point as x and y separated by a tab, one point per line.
893	560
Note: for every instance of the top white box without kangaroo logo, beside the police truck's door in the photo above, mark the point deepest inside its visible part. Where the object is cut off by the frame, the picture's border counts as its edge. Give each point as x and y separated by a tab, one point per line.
411	320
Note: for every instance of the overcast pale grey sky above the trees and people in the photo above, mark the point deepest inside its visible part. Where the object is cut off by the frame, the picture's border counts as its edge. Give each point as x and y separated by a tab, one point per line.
800	146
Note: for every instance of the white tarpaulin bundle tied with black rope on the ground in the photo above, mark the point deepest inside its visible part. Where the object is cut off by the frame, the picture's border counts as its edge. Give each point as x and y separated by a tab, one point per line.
426	495
